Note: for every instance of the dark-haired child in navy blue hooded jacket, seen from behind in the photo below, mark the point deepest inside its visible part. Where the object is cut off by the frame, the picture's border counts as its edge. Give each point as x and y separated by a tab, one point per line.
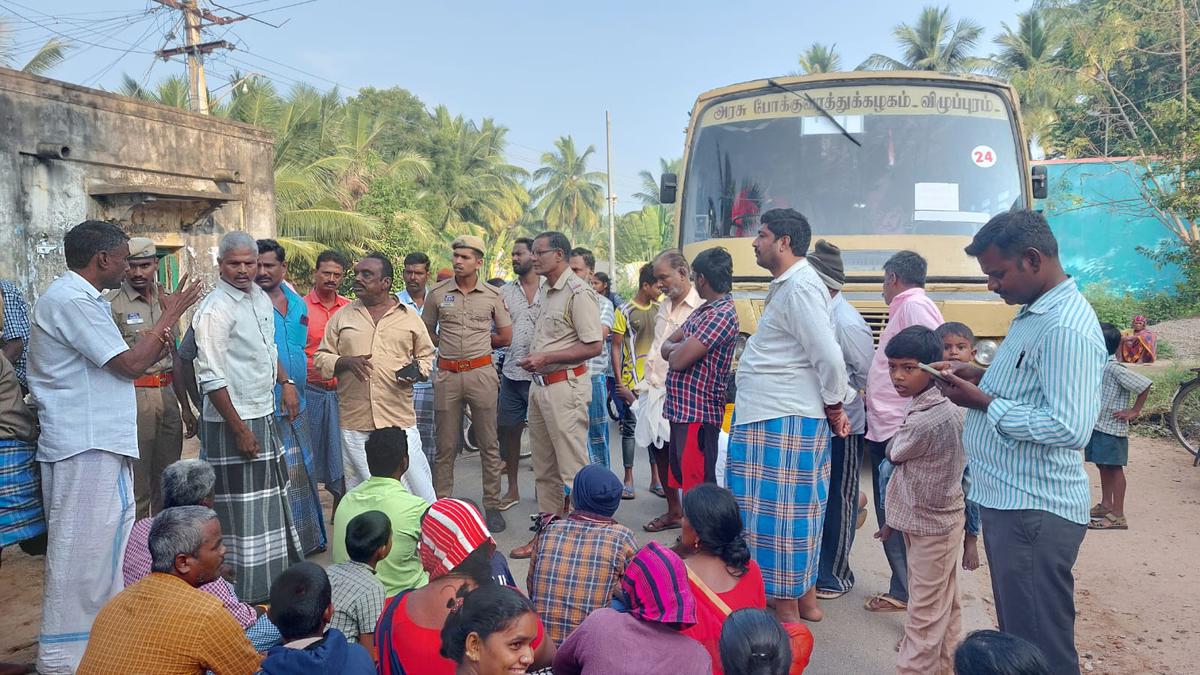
302	607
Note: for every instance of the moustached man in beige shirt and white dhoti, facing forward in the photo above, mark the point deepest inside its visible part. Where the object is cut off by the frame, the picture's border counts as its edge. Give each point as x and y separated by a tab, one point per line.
368	347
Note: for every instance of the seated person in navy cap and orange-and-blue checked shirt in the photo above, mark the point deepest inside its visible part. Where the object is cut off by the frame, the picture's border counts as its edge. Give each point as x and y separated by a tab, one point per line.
578	561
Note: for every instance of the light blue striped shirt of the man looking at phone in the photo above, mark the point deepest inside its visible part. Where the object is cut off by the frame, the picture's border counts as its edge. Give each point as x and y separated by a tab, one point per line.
1025	451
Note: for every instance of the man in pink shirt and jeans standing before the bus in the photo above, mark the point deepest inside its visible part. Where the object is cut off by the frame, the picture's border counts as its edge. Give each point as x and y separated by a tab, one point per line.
904	291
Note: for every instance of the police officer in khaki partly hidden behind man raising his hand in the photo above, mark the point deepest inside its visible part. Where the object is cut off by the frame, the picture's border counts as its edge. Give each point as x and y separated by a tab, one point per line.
136	309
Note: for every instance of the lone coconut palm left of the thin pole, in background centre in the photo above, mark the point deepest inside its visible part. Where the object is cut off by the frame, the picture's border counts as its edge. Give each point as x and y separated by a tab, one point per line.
568	196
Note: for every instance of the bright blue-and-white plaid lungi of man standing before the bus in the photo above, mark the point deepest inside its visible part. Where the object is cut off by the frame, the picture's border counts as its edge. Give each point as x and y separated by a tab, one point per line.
779	473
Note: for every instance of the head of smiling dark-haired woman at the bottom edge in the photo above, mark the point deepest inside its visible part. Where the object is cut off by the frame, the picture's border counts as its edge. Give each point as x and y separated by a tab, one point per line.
491	634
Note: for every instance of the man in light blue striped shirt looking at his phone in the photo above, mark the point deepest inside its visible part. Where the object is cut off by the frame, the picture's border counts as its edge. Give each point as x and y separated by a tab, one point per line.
1029	419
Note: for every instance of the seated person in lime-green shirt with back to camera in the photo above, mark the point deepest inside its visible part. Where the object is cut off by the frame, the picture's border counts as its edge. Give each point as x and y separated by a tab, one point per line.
387	461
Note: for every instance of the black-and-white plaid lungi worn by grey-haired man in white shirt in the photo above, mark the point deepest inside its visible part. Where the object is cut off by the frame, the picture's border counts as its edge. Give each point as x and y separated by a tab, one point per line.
251	501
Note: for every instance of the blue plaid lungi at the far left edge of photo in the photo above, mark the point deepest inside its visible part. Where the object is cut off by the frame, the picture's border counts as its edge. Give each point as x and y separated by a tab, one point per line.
21	493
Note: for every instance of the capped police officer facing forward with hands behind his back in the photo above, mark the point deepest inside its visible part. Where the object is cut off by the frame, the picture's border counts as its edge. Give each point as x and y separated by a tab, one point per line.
460	315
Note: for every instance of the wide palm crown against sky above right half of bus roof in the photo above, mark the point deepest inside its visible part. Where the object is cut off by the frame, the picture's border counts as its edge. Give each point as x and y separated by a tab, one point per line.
933	44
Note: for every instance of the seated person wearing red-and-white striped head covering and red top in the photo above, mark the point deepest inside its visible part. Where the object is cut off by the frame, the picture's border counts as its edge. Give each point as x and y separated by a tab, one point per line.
455	549
